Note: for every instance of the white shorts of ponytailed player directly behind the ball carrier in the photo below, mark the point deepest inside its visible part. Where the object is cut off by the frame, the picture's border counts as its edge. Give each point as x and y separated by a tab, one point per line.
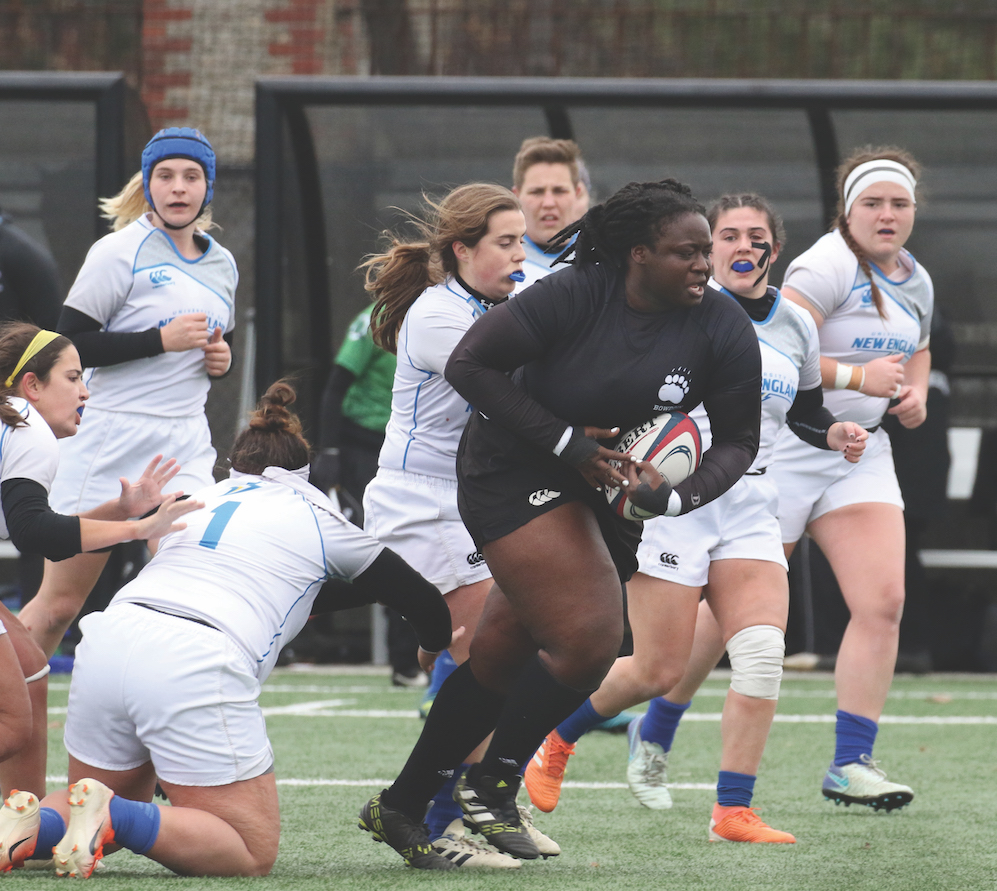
417	517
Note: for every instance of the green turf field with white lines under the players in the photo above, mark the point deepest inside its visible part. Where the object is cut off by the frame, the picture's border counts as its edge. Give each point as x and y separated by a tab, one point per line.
339	737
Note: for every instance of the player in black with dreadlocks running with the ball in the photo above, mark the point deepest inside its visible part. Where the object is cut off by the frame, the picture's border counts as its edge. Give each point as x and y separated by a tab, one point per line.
630	331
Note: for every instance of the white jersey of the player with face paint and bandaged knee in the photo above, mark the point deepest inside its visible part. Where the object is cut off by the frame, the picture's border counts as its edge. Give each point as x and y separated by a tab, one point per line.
787	340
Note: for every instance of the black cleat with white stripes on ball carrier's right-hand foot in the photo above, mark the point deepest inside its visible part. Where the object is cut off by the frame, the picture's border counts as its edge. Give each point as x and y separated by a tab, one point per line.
489	805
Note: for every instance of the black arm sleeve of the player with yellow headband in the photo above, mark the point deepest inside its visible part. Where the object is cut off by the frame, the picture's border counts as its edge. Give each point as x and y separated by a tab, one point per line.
33	526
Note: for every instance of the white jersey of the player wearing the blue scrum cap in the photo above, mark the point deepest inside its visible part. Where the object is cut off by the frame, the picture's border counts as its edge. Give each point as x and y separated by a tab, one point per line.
135	279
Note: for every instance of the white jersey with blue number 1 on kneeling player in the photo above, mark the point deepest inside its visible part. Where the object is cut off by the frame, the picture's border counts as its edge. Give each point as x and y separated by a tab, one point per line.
252	560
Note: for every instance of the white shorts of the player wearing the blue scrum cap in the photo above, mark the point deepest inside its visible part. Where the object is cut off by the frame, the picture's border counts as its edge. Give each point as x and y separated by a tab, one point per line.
113	444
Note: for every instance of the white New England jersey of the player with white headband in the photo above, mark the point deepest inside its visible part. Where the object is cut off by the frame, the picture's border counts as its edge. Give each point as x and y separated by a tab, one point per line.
829	276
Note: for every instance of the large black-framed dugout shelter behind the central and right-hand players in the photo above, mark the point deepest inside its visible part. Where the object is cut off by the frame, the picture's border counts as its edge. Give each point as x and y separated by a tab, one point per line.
336	158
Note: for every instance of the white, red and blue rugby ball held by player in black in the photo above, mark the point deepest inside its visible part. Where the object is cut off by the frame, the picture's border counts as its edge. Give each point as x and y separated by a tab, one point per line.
671	442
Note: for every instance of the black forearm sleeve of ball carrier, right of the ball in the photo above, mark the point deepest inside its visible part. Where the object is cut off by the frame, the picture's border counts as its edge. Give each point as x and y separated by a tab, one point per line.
734	422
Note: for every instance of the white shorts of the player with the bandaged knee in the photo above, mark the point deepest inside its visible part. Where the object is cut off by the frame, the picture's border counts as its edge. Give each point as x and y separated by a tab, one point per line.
739	525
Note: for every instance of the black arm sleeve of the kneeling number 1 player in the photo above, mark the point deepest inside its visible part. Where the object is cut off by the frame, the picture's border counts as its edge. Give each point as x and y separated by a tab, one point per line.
391	581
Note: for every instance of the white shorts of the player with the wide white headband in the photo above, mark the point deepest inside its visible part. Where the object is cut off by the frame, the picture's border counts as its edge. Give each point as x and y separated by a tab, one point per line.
813	482
